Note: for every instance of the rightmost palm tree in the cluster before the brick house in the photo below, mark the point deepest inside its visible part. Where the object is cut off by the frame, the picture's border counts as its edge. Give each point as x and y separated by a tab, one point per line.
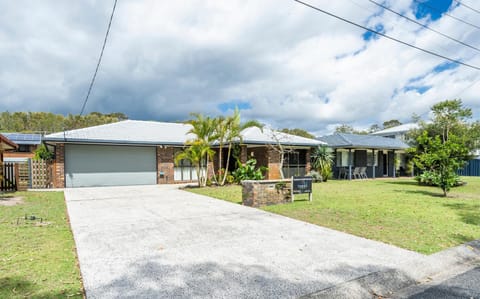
230	133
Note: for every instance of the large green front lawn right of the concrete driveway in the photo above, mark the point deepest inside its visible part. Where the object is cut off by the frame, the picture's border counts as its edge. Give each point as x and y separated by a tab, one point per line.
394	211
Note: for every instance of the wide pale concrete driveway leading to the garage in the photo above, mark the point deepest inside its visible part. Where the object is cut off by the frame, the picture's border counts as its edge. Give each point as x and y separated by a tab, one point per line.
161	242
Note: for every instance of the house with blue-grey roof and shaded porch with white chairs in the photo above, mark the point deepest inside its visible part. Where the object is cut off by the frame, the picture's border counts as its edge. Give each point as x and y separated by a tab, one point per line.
380	155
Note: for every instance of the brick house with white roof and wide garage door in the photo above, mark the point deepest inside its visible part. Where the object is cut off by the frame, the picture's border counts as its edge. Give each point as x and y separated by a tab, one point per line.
134	152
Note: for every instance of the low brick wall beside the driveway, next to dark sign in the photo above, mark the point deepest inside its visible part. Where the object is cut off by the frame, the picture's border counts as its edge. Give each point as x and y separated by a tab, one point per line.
266	192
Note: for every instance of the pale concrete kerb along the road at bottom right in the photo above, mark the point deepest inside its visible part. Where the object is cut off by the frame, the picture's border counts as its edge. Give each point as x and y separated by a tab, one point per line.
390	283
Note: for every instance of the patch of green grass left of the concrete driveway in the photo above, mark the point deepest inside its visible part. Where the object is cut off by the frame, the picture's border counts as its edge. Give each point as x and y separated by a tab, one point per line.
37	260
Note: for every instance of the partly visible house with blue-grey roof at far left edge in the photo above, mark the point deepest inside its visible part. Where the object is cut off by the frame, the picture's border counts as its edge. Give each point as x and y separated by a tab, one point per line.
27	144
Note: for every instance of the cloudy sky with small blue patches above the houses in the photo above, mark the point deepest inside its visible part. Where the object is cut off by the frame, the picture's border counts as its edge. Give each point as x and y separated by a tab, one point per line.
278	61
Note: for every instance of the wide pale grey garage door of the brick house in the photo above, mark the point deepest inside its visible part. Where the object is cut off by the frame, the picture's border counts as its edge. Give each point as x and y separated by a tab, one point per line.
109	165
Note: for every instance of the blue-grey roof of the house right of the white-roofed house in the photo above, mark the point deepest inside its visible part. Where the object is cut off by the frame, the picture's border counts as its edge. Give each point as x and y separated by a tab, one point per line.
342	140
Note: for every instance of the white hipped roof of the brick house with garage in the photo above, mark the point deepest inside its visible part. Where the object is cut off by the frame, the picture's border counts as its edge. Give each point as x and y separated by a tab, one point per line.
164	133
